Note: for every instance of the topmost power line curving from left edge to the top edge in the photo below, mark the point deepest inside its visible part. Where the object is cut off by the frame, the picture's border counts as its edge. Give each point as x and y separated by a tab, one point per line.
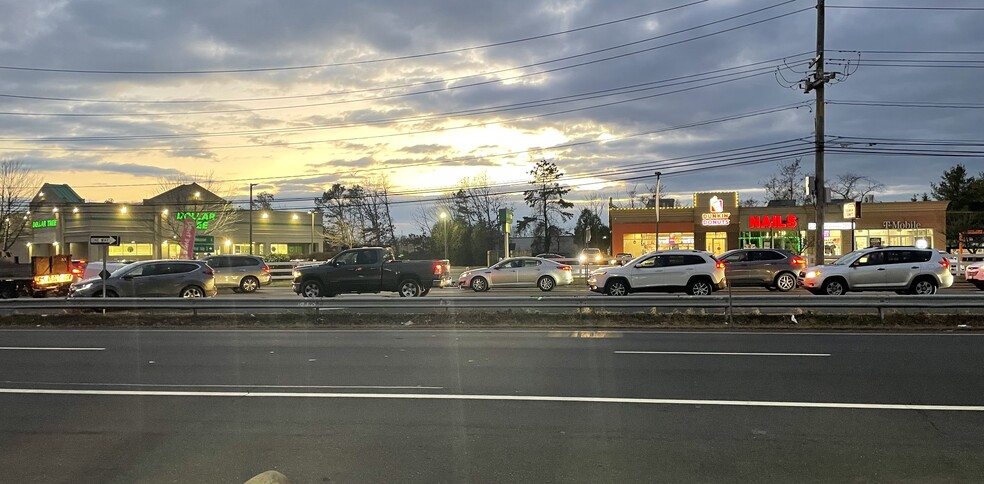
354	63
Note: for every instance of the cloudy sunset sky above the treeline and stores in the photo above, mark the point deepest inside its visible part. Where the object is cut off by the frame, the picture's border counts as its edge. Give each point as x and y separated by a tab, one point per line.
110	96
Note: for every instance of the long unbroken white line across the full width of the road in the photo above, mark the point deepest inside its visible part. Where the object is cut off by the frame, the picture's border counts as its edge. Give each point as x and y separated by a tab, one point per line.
511	398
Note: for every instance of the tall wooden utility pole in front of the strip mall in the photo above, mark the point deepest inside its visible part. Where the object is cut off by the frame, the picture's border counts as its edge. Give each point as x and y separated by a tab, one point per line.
816	84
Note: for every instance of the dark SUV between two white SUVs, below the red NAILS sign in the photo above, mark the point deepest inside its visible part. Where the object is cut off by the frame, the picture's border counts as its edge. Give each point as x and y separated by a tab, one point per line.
771	268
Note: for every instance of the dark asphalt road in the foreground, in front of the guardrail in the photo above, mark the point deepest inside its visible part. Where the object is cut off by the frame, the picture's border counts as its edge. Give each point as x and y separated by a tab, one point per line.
490	406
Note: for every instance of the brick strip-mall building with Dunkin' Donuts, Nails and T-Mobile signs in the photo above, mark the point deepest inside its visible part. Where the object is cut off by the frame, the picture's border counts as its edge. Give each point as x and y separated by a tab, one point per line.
717	223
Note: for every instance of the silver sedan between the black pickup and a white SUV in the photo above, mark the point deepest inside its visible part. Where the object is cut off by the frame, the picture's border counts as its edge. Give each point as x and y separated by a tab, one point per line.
518	271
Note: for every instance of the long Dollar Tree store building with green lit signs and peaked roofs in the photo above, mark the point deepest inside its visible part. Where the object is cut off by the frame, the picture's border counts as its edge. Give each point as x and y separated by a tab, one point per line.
62	223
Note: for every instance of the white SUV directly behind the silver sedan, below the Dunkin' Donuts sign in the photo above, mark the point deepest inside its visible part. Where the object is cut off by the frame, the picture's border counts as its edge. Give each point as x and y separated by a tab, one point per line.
697	272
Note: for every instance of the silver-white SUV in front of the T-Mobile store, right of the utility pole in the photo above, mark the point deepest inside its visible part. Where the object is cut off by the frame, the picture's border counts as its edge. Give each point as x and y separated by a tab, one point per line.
906	270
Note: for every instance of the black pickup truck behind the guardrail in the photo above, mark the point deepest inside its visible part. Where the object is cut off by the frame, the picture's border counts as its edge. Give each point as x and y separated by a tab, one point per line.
370	269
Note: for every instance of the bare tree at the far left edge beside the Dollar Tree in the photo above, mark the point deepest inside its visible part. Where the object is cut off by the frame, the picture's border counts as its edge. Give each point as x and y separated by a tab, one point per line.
18	184
